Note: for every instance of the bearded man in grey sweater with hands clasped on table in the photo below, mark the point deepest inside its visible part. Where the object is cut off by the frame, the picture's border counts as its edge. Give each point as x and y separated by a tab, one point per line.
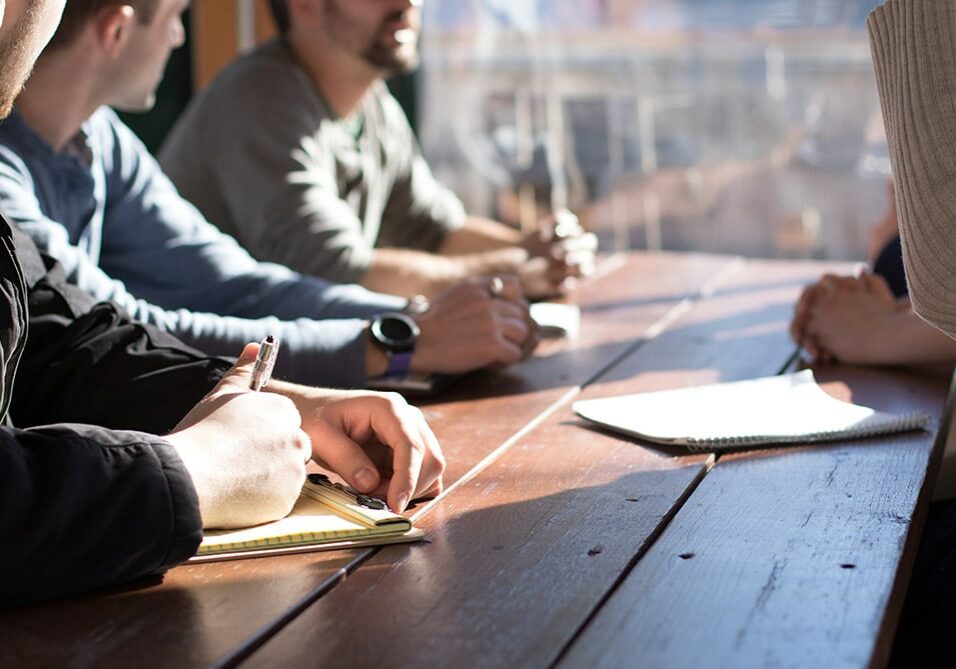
299	152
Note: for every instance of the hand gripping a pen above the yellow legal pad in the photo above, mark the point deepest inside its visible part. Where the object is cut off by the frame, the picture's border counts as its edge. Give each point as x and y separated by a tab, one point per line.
244	450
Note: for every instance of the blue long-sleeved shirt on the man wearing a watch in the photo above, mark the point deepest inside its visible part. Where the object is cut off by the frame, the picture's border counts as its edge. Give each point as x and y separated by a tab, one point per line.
122	232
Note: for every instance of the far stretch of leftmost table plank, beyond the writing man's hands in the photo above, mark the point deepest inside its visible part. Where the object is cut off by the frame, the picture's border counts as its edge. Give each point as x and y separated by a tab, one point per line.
485	410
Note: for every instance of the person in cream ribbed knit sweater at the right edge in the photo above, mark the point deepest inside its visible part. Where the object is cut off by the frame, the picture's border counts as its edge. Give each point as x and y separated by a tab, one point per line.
914	56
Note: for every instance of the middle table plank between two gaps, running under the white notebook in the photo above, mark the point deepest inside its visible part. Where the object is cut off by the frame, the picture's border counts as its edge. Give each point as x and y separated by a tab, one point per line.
523	554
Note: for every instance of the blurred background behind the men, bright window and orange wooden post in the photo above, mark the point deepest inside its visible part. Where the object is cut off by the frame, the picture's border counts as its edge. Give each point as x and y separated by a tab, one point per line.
734	126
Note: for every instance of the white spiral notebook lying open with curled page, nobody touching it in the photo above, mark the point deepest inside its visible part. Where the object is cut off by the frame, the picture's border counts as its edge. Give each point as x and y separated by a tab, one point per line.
785	409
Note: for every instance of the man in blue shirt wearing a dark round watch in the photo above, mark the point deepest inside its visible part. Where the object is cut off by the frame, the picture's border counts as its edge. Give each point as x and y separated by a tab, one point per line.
82	185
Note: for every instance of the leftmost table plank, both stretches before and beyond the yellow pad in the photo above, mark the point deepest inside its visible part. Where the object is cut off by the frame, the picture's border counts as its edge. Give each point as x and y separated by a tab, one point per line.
201	614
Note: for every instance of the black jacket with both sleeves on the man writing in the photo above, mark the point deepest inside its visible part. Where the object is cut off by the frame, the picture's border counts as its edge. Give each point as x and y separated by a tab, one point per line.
83	505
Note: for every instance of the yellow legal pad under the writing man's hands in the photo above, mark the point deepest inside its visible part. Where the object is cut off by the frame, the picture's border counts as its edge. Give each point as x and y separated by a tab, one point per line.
326	516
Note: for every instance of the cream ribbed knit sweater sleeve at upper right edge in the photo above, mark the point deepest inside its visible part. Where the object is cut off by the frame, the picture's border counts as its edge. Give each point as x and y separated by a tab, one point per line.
914	54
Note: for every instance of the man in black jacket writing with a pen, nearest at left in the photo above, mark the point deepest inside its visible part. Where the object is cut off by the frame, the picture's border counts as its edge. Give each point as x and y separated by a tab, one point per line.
89	494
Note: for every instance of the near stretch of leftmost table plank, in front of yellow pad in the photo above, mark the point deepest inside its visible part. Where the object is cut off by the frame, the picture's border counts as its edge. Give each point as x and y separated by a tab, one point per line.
189	618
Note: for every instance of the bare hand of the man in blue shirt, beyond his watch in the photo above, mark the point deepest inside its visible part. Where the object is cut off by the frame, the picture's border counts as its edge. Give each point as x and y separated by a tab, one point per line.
468	328
